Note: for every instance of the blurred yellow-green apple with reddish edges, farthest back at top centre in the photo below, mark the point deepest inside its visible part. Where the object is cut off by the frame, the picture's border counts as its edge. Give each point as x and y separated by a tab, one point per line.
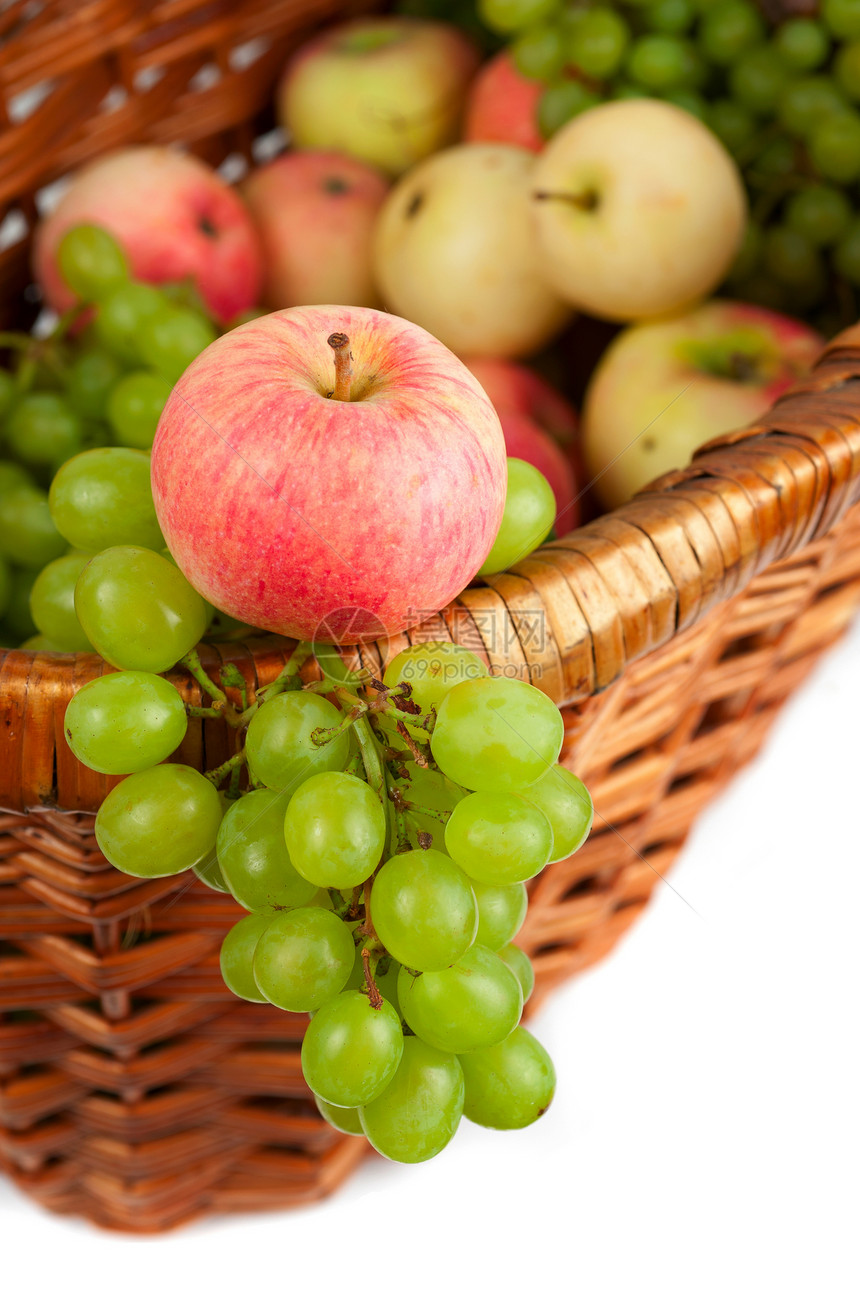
387	91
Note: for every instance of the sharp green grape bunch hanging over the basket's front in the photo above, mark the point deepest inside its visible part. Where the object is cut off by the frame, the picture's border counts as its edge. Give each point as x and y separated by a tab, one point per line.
379	838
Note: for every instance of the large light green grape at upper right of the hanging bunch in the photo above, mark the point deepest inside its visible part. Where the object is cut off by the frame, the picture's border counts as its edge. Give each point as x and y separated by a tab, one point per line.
497	733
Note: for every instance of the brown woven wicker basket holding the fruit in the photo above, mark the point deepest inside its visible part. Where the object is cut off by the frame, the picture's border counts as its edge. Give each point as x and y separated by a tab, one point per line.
134	1089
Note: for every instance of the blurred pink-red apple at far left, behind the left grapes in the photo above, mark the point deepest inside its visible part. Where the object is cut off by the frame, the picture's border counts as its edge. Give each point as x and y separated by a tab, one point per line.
176	219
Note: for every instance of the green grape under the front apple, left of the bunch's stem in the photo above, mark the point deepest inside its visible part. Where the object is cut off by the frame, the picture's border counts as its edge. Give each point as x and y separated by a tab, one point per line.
280	746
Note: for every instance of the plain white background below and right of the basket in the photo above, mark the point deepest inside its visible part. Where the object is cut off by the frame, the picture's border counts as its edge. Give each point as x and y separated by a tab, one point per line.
706	1131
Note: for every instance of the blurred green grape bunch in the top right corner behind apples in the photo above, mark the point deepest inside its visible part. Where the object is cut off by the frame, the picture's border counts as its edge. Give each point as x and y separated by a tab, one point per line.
784	100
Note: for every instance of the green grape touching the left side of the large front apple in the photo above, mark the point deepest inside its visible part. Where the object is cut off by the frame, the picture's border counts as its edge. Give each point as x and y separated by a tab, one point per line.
104	499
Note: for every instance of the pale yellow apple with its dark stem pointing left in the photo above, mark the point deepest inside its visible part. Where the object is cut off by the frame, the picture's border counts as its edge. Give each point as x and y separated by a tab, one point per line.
640	210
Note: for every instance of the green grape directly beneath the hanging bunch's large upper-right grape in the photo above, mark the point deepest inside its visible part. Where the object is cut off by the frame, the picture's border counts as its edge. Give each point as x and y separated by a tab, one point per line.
499	838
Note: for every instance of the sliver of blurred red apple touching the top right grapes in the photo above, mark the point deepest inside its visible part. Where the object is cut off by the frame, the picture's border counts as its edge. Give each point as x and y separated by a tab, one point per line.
502	107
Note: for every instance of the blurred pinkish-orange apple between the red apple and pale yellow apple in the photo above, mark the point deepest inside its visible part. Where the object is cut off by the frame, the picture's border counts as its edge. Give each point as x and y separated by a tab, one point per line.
316	215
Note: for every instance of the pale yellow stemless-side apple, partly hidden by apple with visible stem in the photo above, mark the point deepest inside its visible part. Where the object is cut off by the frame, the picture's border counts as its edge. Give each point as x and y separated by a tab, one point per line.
455	251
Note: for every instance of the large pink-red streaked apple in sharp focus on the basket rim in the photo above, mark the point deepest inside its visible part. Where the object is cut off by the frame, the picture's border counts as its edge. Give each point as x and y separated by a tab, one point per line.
322	519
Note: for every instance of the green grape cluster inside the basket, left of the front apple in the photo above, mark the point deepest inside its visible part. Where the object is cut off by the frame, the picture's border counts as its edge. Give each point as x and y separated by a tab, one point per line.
78	417
